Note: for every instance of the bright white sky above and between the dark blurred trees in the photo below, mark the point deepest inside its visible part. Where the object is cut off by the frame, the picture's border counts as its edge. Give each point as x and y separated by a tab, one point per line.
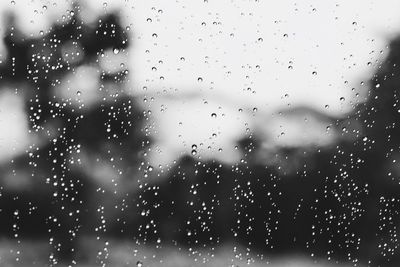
233	46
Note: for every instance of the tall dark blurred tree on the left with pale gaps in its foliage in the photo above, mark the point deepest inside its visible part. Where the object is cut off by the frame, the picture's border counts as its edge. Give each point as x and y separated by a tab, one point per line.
63	201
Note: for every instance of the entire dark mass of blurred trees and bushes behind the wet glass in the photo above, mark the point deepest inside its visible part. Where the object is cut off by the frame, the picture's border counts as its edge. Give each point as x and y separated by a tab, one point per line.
340	202
